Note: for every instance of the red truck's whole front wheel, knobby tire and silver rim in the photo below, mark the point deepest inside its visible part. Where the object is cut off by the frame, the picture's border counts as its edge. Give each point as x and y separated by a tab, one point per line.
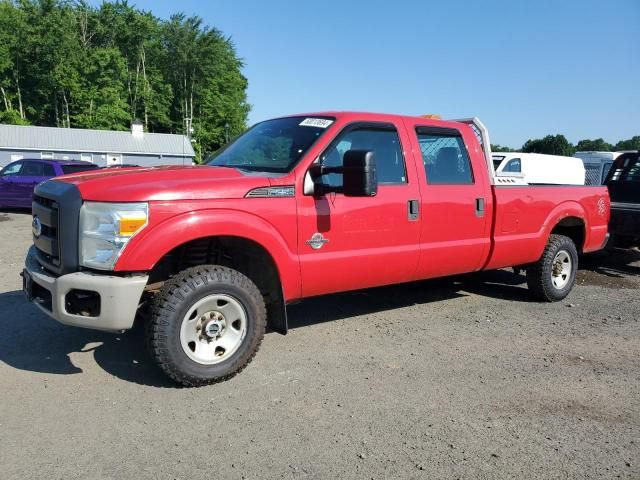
207	324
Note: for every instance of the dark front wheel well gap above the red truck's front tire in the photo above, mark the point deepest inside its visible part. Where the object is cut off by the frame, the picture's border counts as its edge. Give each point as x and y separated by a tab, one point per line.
241	254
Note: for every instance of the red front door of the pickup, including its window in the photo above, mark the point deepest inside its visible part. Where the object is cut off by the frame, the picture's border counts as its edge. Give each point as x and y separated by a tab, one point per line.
348	243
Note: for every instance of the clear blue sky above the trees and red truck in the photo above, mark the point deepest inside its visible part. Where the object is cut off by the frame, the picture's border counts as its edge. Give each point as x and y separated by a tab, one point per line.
526	68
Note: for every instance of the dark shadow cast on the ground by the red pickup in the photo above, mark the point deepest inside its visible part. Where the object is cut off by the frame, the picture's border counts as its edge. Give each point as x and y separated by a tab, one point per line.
33	342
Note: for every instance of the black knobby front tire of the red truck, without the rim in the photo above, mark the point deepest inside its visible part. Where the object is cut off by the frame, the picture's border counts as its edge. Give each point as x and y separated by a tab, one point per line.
170	306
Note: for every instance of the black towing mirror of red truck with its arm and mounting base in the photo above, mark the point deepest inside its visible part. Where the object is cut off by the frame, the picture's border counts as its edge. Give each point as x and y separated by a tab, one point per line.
359	176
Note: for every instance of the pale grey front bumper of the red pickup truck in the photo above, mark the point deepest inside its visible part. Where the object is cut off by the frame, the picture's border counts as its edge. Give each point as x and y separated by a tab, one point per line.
117	298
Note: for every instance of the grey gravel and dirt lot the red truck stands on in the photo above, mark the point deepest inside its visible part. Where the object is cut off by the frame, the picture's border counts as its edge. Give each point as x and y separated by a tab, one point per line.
455	378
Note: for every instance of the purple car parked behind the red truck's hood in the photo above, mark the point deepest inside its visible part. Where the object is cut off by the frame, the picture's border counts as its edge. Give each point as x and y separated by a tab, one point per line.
18	179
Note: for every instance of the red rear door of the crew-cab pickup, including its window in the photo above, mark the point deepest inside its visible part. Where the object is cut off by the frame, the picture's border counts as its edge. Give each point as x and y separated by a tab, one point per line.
455	231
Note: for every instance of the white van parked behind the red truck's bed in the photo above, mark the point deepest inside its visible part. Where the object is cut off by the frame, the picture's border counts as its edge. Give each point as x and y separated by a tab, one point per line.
536	168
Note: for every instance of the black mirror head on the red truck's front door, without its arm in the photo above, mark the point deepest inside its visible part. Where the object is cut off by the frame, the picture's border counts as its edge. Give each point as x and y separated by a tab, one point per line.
359	176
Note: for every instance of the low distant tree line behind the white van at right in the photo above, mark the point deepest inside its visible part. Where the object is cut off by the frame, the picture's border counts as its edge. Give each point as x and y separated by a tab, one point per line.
559	145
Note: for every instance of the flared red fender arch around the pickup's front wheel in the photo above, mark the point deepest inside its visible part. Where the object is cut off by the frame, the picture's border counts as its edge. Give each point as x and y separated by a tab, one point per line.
151	244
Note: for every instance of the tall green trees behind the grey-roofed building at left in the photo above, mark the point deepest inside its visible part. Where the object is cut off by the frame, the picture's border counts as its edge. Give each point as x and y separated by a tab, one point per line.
67	64
